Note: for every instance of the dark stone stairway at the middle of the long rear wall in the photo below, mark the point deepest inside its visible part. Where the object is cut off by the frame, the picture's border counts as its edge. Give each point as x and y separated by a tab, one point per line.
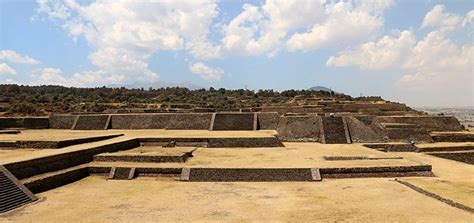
234	121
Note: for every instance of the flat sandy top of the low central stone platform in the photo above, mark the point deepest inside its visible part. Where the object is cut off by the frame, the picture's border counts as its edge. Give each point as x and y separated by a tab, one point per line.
292	155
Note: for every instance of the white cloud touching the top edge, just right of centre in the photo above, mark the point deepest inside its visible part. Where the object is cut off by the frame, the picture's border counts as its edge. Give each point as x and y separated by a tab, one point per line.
261	30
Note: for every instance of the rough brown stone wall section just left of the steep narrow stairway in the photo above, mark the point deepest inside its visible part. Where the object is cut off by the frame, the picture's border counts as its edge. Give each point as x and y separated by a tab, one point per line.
299	128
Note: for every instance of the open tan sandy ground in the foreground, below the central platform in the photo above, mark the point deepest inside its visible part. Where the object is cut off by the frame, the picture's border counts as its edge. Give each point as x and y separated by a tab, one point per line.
147	199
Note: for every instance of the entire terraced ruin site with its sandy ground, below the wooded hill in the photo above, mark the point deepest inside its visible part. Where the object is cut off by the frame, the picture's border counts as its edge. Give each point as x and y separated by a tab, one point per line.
318	159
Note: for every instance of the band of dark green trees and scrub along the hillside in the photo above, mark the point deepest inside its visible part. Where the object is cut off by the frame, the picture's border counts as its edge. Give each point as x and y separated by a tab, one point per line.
42	100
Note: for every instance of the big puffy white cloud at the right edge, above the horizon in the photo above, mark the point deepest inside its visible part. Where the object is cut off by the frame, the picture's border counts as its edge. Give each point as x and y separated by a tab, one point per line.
439	72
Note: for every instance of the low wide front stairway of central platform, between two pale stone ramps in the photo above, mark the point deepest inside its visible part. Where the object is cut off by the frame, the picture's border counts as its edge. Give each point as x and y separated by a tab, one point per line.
250	174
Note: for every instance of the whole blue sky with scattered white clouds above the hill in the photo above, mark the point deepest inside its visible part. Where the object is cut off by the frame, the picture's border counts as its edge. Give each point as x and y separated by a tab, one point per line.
416	52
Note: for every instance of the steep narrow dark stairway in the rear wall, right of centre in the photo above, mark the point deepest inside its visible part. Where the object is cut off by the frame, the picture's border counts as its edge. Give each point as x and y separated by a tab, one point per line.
335	130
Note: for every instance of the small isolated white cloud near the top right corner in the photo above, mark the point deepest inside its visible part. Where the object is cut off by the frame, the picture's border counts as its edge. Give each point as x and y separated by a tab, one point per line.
438	18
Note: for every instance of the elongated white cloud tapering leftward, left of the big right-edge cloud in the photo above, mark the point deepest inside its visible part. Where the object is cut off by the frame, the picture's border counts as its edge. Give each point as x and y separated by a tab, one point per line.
388	52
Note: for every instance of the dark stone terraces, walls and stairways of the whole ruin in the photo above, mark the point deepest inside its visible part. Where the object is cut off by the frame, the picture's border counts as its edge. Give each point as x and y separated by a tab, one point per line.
379	125
